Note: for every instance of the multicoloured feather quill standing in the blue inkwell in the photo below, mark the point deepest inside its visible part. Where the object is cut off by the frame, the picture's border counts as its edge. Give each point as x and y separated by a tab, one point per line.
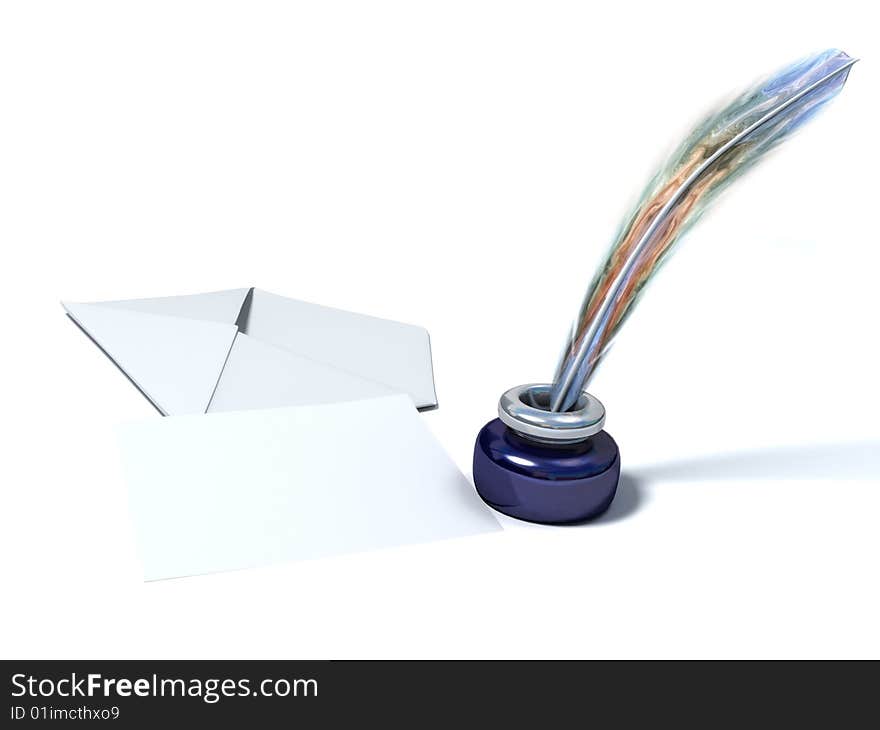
716	152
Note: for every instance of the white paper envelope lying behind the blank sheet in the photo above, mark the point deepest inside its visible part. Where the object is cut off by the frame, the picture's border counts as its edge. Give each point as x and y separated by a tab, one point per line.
244	349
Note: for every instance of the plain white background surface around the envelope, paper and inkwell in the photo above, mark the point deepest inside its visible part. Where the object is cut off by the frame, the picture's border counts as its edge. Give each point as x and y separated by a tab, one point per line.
462	166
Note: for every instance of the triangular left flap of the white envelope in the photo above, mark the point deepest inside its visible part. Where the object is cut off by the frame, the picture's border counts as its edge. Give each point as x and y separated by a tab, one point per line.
174	361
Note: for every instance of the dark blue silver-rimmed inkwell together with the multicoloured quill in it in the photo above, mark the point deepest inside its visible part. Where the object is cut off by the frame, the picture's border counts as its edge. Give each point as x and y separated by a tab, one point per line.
546	458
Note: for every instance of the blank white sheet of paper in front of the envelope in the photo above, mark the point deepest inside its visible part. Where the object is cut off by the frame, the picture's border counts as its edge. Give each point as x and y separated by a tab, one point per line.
235	490
